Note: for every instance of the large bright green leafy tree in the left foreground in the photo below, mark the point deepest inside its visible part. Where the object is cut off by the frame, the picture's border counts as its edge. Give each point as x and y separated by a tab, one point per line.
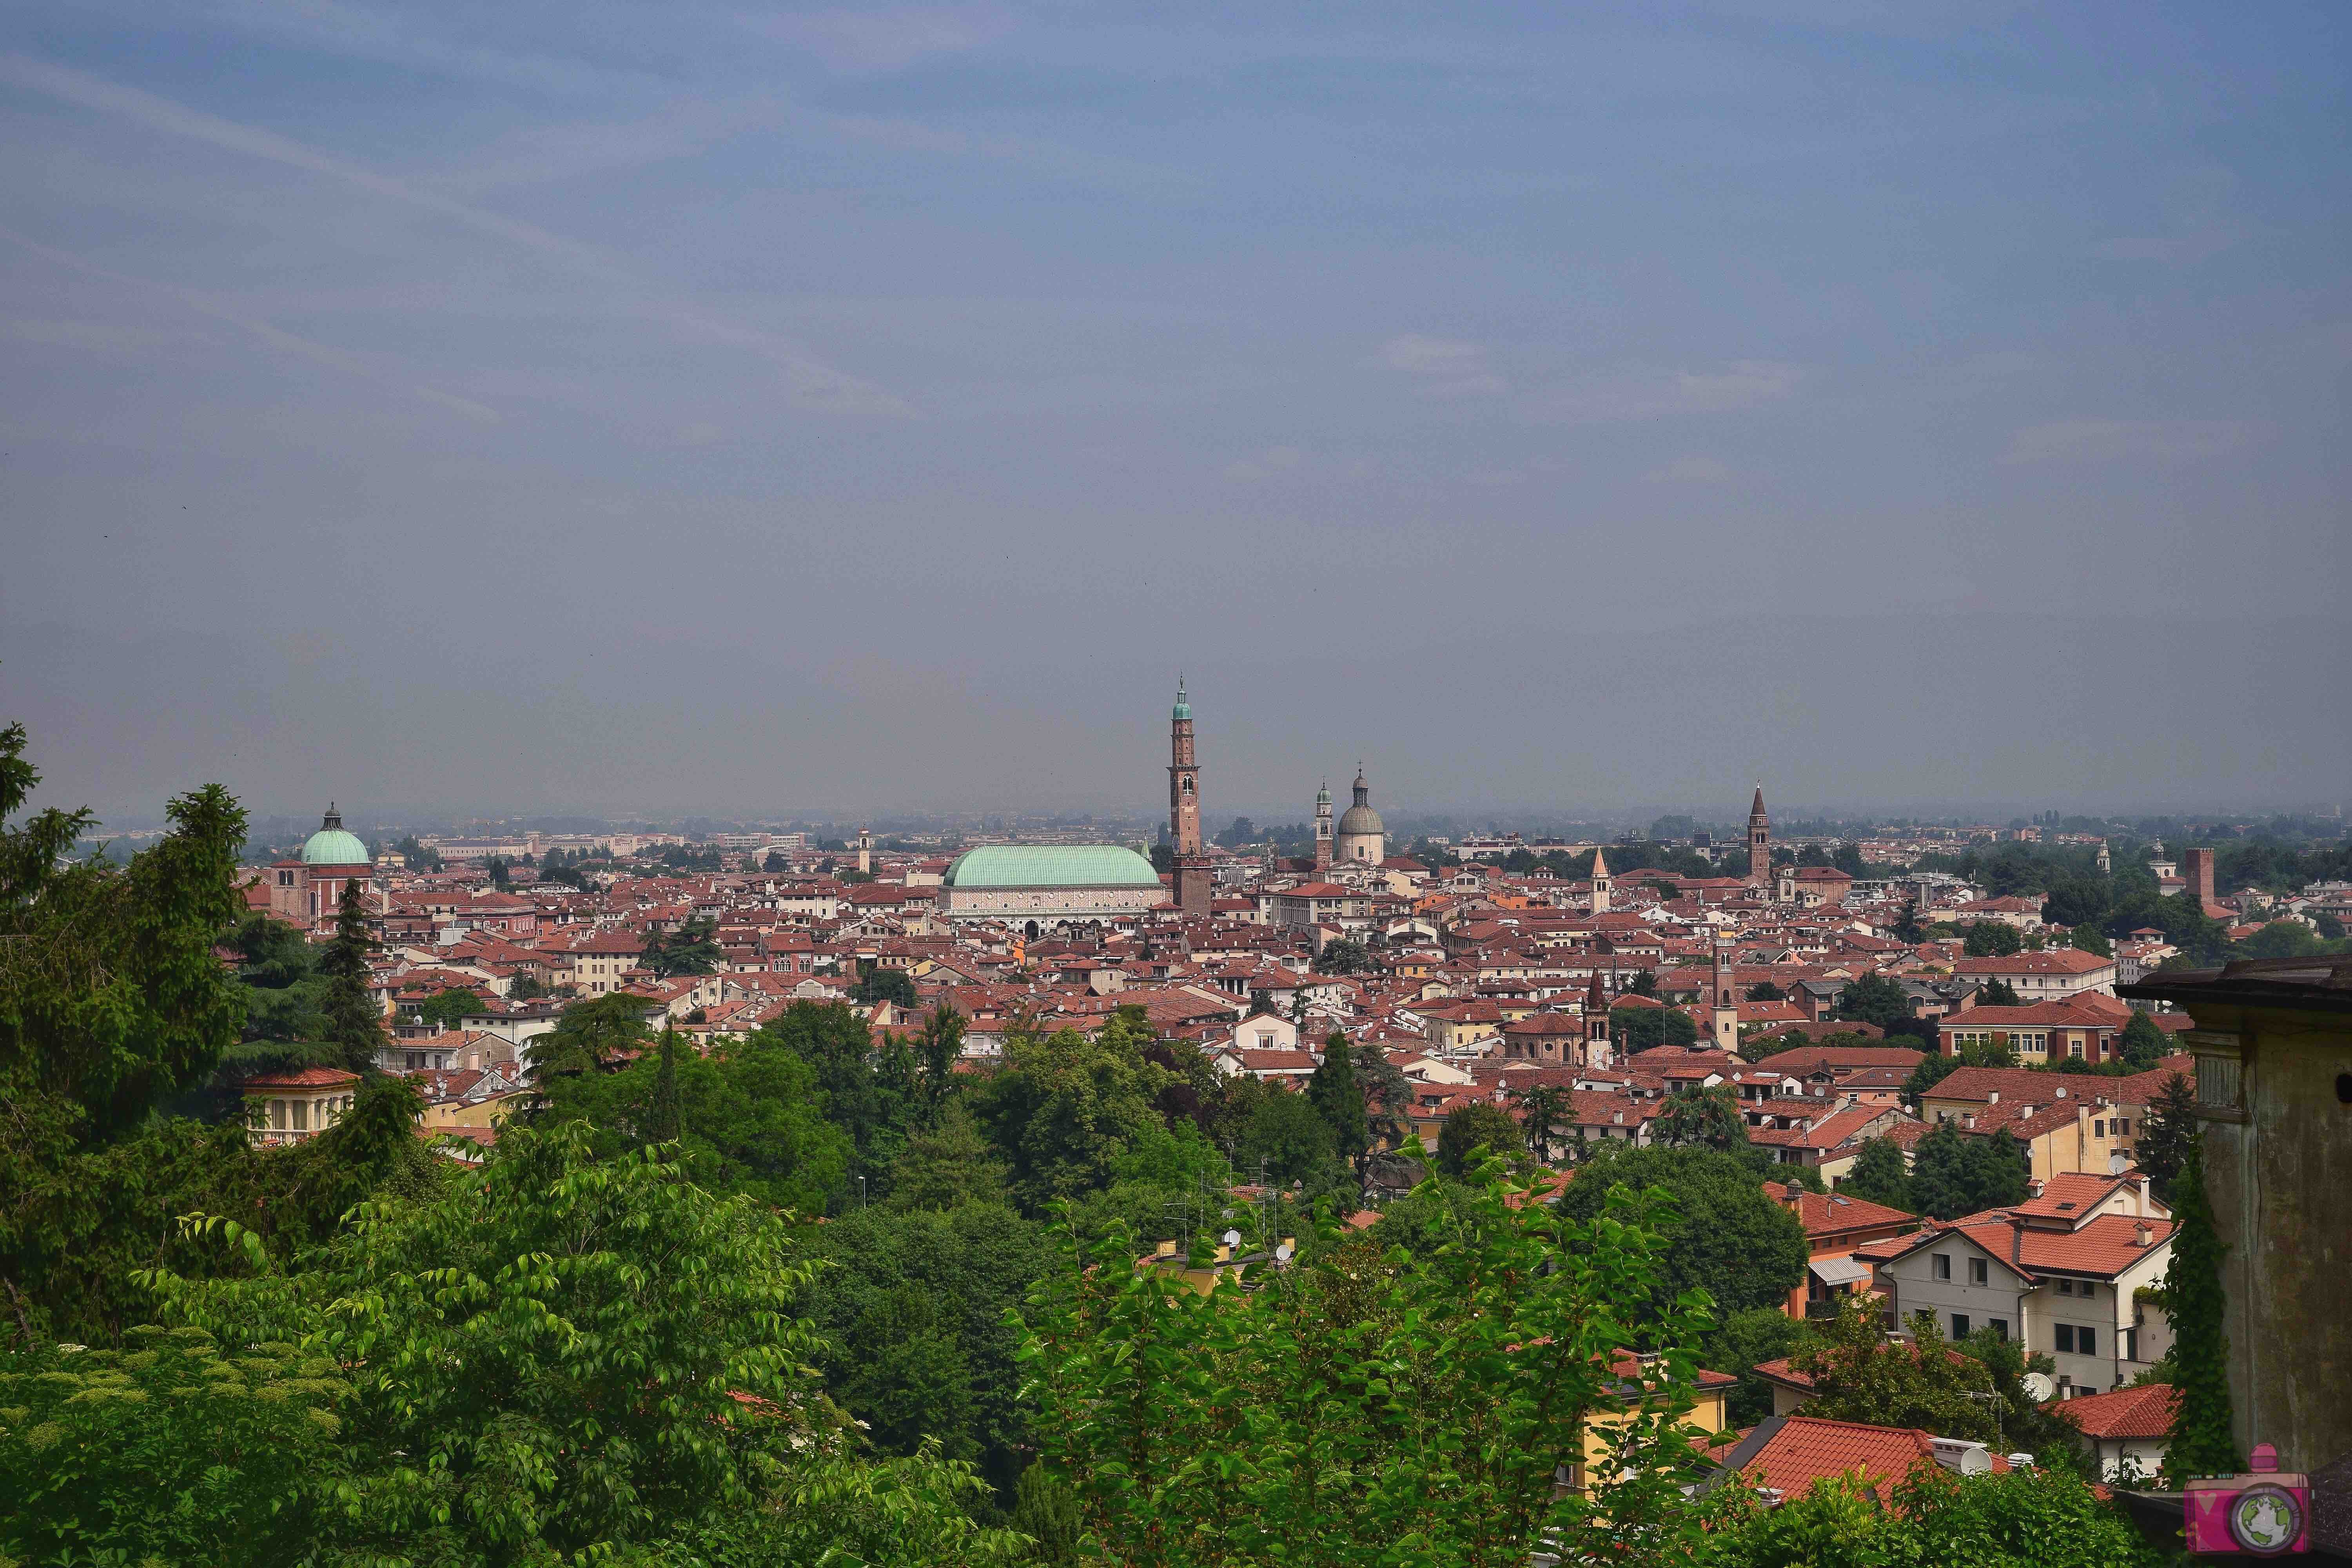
488	1426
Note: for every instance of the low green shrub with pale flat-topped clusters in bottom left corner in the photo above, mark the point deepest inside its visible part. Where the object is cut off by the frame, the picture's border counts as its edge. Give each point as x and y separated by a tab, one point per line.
166	1452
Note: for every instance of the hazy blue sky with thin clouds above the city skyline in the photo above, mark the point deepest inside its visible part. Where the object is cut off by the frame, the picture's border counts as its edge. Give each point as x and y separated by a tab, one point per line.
671	408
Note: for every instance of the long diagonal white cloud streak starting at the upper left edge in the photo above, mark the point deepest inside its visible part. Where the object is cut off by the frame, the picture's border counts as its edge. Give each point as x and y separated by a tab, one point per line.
810	380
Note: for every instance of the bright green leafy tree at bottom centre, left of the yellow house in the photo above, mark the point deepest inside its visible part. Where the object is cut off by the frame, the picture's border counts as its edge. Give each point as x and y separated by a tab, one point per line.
1372	1407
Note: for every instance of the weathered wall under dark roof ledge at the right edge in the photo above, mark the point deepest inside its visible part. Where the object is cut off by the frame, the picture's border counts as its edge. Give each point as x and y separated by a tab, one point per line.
2280	1177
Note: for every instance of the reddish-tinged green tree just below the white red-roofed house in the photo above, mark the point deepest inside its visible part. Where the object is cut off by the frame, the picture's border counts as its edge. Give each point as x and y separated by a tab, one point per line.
1862	1379
